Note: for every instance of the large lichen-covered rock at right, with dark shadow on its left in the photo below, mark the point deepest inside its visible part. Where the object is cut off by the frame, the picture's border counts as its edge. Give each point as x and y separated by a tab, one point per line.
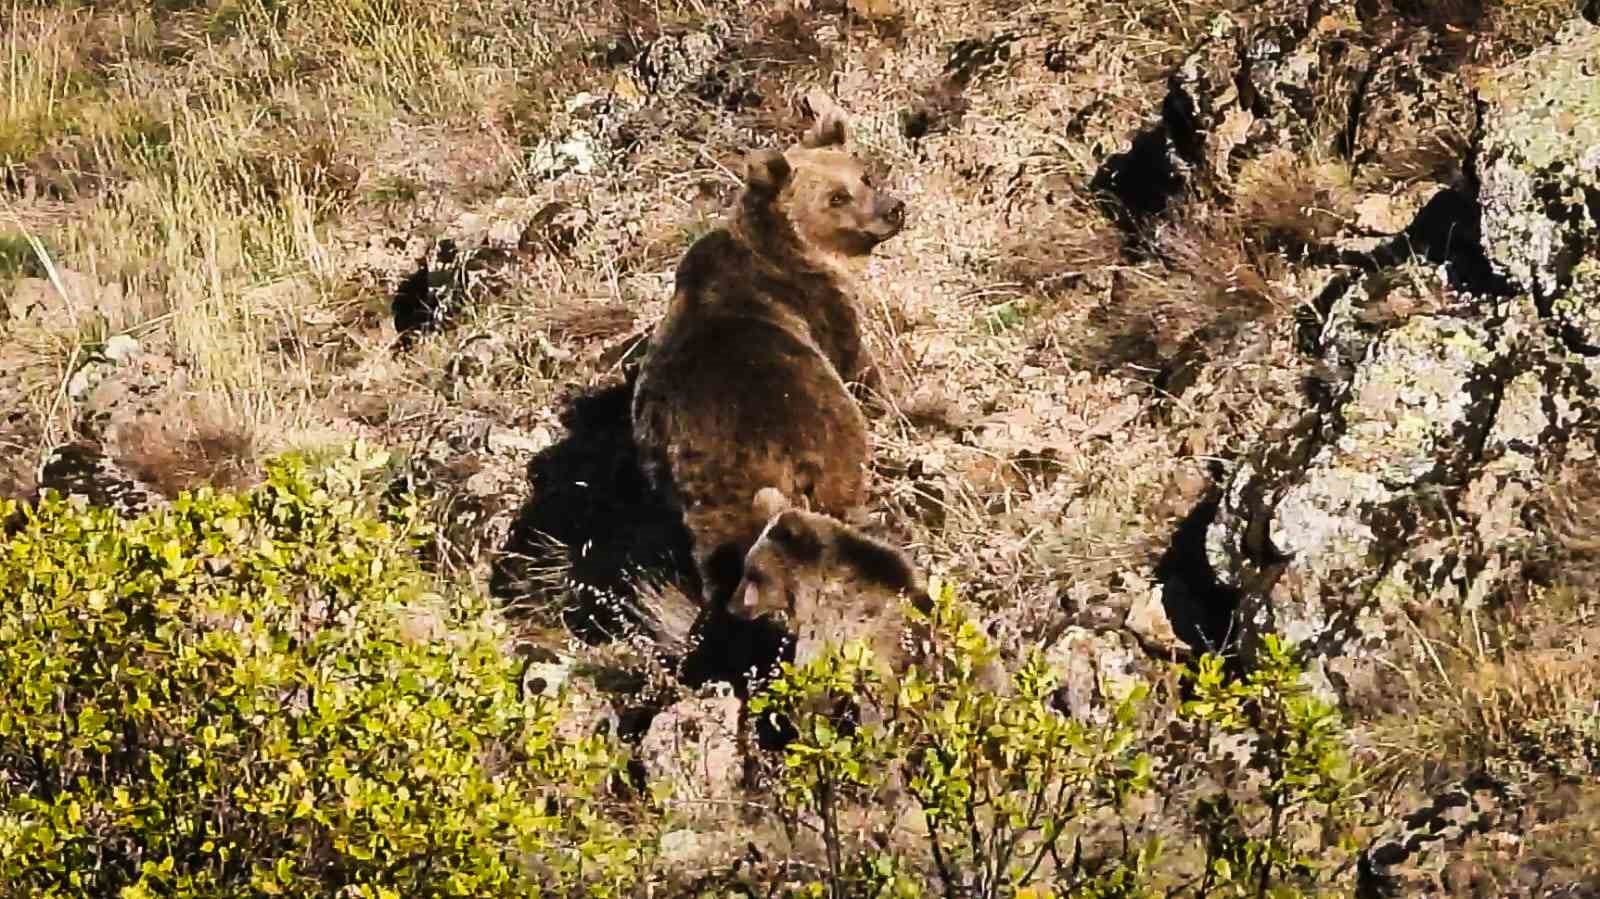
1409	493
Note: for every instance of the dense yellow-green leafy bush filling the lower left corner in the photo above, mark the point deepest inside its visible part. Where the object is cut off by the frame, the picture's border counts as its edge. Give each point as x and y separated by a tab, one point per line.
230	698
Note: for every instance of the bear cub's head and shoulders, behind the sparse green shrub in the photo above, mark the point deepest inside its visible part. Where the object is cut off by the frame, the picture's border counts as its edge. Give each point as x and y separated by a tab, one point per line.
809	567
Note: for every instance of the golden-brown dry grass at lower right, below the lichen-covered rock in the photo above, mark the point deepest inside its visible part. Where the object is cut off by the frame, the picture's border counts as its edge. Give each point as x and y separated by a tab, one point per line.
1516	692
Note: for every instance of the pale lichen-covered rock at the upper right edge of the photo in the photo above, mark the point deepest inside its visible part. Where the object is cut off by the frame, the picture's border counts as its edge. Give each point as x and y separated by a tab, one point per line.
1540	172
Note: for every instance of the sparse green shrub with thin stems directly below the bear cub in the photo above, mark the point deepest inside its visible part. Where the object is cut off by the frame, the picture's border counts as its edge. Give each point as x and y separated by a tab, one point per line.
1002	781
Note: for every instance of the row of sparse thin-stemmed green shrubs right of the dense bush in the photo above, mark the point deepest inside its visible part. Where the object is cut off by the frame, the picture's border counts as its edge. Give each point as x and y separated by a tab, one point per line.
1015	799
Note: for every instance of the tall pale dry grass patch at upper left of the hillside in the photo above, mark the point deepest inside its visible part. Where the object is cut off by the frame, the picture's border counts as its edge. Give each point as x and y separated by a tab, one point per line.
268	114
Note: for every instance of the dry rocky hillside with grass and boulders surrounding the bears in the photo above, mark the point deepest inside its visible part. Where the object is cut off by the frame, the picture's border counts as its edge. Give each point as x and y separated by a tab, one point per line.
1210	322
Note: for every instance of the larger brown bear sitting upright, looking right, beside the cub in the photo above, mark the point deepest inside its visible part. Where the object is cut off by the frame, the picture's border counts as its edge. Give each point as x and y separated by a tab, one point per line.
745	382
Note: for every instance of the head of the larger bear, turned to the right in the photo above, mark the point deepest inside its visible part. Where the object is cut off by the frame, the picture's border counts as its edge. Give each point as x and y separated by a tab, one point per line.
822	193
